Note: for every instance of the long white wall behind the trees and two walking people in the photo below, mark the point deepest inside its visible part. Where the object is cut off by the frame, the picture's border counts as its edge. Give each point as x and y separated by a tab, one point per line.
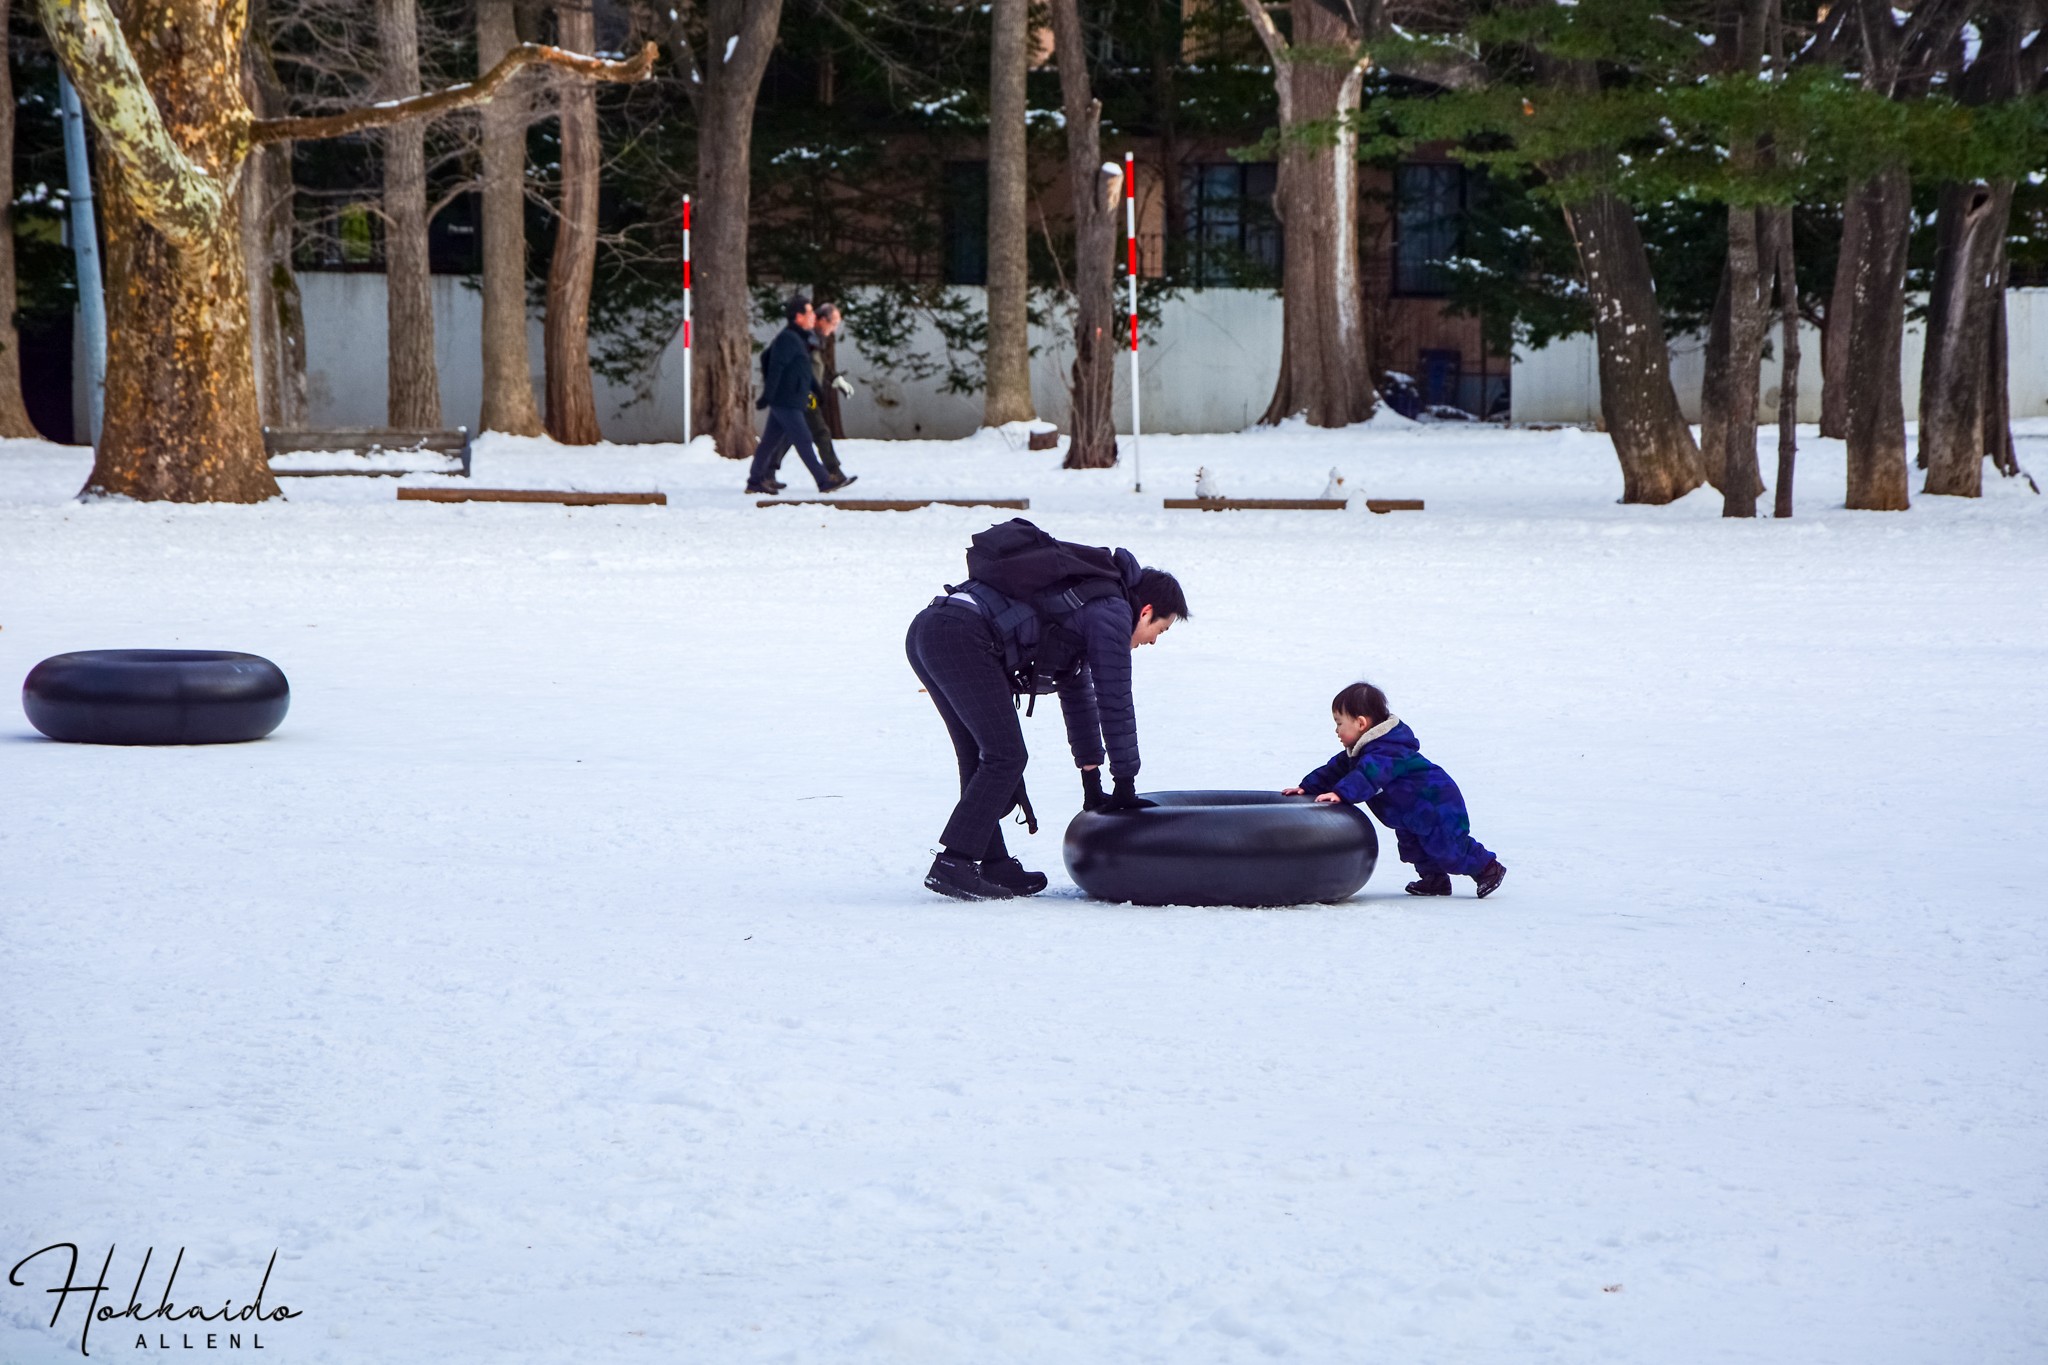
1211	367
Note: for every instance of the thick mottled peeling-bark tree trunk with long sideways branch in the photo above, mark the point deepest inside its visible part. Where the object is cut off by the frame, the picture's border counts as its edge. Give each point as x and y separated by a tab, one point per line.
175	130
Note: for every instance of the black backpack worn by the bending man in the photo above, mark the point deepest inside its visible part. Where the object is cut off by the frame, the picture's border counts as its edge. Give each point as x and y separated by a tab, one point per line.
1031	586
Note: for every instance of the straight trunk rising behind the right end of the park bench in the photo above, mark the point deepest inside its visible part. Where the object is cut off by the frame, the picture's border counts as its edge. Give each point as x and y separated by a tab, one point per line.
413	384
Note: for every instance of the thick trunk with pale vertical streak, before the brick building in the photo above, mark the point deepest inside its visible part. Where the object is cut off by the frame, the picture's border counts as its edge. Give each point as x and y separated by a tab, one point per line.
1324	355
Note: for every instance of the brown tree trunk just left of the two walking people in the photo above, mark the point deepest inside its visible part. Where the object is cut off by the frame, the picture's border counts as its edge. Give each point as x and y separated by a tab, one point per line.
738	40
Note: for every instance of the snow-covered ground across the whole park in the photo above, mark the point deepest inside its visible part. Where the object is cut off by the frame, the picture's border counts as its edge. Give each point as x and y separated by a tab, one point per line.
558	985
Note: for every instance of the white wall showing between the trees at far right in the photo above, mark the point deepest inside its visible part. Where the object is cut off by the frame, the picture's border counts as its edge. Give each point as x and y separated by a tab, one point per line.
1562	382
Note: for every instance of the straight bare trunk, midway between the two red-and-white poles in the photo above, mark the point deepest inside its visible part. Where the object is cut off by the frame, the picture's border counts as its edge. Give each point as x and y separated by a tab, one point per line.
1009	355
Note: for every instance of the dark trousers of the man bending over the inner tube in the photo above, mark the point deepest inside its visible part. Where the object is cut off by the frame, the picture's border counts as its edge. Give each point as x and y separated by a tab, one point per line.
955	656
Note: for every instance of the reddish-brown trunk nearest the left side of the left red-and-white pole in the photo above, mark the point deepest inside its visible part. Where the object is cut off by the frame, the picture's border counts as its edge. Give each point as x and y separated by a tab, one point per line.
572	402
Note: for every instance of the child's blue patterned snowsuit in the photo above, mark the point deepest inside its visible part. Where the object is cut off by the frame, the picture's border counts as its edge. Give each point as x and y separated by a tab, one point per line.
1412	797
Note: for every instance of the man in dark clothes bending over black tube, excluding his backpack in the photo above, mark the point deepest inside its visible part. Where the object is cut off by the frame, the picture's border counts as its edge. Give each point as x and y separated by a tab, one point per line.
964	650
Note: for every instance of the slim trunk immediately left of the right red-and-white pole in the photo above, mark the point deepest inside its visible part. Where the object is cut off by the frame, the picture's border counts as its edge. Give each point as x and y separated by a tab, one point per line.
1093	421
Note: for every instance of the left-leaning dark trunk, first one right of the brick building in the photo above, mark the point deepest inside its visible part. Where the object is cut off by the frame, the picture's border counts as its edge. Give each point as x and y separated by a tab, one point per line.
1637	402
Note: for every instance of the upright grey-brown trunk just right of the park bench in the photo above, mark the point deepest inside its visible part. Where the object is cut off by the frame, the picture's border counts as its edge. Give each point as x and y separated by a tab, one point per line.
509	402
